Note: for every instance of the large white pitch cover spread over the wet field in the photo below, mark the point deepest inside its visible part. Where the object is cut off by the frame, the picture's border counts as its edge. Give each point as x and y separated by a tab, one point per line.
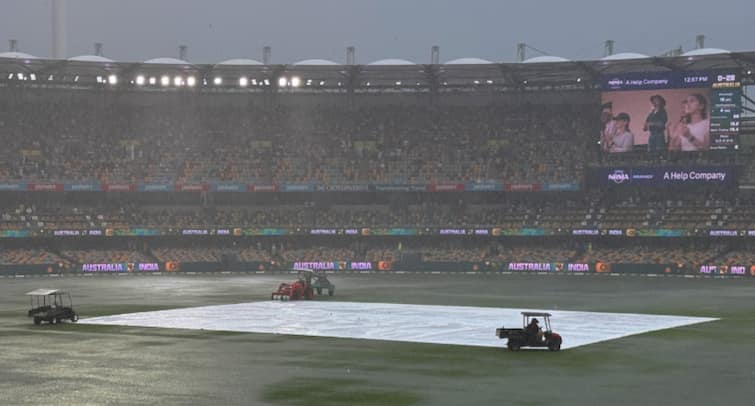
456	325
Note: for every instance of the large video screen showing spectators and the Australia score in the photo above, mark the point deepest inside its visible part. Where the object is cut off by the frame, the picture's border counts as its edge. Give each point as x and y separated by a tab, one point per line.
670	111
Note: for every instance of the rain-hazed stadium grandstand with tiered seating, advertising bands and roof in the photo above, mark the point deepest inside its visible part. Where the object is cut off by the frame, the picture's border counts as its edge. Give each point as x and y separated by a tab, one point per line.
454	172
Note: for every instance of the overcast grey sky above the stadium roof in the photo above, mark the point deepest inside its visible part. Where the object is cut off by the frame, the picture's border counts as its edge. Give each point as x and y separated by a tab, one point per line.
215	30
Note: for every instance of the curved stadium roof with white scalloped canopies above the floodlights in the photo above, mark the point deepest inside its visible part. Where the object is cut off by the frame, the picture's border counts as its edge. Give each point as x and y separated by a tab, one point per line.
539	72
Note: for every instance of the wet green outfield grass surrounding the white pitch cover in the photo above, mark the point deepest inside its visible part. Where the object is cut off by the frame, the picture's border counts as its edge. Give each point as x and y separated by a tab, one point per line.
87	364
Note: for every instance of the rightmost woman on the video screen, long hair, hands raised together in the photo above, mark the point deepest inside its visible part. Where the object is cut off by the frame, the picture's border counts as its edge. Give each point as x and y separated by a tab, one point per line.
692	132
